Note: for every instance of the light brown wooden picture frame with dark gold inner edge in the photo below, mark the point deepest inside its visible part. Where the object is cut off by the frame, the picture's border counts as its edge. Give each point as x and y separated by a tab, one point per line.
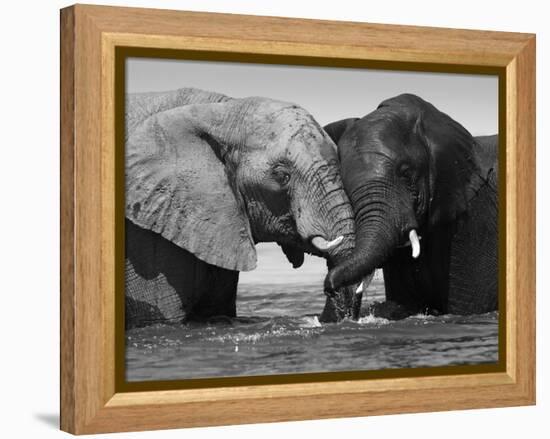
91	399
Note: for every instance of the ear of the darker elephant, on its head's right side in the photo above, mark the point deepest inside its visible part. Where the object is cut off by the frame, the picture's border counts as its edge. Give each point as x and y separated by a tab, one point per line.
455	173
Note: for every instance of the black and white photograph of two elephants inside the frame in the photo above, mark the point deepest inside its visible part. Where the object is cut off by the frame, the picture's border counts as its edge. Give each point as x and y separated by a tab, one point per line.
284	219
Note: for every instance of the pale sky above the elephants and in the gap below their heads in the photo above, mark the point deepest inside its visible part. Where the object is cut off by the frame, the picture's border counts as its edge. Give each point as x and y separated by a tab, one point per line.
329	94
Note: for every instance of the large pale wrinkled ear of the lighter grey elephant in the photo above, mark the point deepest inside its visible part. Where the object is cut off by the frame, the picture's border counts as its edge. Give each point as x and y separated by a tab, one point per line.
178	185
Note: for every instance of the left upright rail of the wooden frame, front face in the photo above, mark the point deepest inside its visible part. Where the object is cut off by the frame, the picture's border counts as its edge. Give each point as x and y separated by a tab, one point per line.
89	312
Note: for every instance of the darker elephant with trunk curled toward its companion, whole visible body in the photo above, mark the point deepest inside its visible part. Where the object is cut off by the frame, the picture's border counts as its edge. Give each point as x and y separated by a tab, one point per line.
425	198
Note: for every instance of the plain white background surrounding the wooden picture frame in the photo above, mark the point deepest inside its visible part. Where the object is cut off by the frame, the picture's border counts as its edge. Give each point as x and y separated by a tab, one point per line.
29	219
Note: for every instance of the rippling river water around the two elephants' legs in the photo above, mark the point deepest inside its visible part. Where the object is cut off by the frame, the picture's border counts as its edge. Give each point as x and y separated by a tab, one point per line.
278	332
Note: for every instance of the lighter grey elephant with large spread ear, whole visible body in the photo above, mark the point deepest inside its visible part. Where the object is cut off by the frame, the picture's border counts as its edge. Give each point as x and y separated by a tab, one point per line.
209	176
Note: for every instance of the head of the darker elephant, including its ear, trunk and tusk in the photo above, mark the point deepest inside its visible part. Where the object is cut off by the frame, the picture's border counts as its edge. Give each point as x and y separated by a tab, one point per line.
409	170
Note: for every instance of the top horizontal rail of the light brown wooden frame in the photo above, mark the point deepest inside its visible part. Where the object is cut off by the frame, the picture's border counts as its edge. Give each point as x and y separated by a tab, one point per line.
333	38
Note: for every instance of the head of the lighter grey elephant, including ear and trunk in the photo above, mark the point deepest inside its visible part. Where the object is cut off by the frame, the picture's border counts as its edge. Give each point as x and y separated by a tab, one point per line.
216	175
